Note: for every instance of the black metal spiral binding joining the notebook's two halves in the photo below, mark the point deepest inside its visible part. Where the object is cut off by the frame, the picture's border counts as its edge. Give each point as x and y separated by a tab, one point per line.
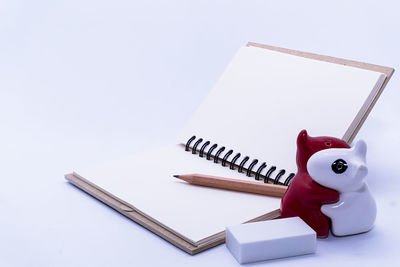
257	174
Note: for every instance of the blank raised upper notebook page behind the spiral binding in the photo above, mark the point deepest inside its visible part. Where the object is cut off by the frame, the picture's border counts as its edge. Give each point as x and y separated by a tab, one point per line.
264	98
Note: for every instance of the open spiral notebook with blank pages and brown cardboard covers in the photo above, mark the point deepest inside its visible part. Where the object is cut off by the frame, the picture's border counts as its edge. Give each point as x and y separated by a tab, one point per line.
246	129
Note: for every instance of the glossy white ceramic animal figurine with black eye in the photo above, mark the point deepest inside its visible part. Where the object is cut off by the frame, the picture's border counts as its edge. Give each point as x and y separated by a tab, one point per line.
344	170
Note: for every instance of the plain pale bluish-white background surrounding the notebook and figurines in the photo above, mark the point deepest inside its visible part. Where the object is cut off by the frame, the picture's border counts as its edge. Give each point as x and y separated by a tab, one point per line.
85	81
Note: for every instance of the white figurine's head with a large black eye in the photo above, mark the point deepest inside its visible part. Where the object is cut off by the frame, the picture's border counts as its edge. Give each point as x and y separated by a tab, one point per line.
342	169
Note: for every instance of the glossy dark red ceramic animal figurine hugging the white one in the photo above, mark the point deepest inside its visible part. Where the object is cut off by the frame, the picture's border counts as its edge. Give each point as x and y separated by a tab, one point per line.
304	197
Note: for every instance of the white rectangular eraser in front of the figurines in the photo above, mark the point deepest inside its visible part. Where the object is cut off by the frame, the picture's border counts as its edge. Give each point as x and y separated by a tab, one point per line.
271	239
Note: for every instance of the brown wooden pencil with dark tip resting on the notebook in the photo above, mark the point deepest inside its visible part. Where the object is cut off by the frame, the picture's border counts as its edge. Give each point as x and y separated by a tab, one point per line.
234	184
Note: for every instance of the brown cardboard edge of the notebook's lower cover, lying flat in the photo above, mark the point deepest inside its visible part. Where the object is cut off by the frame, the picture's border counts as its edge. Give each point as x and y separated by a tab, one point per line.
146	222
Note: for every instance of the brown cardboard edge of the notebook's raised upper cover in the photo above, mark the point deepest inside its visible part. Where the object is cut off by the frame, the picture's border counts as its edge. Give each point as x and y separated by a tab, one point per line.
346	62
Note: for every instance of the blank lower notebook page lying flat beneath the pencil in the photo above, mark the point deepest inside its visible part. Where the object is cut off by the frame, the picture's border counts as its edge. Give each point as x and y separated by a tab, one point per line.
145	181
